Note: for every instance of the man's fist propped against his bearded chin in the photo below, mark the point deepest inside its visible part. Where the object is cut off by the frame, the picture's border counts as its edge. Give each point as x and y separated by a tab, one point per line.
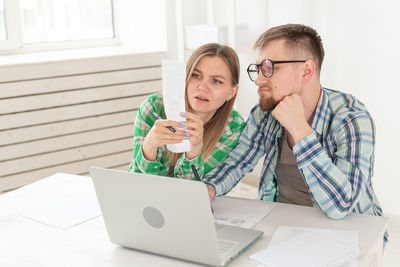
290	113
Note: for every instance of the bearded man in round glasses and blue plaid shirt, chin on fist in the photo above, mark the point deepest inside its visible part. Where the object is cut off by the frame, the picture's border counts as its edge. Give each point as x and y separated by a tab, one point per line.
318	143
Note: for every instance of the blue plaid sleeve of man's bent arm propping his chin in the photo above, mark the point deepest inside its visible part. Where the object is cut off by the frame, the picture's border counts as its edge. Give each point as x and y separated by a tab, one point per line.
337	185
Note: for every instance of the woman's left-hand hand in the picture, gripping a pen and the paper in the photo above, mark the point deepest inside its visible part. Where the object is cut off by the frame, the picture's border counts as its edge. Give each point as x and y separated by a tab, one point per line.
160	135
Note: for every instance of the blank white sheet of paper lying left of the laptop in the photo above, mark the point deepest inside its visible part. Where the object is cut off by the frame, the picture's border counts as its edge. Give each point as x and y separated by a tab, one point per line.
61	200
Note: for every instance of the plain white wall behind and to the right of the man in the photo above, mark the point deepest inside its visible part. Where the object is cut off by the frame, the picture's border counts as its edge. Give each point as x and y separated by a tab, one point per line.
361	40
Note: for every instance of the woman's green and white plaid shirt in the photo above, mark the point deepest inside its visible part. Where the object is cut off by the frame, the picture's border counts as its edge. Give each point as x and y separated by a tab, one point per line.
161	166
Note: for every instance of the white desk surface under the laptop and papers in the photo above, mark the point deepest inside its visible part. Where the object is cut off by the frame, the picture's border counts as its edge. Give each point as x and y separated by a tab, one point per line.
24	242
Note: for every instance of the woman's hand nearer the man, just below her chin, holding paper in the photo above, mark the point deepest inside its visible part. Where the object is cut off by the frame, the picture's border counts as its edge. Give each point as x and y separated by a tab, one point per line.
194	126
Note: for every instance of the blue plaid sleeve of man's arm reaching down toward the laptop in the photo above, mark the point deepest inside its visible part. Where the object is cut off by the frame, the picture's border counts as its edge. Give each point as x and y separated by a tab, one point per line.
242	159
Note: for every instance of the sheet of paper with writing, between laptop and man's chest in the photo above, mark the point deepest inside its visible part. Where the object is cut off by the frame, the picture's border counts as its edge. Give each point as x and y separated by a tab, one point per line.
240	212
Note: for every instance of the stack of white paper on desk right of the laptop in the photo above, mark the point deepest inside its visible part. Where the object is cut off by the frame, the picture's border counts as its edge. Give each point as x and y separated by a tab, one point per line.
306	248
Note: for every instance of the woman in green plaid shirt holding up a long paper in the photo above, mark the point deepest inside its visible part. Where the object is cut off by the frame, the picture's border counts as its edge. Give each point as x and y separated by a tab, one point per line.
212	126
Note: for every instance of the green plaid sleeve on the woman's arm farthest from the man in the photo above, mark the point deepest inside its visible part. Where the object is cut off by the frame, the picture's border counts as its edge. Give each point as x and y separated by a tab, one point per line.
143	123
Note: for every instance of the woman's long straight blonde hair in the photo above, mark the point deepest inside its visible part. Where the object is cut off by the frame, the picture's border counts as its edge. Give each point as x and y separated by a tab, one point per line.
215	126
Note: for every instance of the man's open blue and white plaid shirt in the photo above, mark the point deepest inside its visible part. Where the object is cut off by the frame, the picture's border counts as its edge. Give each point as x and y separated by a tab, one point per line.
336	160
